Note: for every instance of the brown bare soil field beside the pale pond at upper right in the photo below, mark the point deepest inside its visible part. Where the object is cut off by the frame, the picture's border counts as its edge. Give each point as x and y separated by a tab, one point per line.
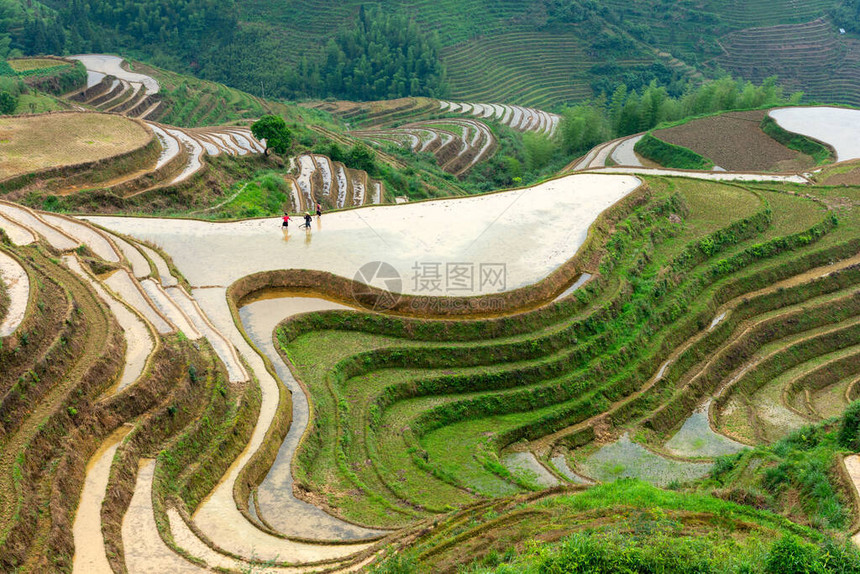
735	142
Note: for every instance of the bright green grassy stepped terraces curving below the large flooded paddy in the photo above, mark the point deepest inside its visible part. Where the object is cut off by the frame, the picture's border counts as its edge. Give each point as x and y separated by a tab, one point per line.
429	424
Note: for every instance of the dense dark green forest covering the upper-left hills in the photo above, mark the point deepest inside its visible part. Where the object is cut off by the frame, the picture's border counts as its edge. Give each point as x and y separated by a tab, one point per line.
381	56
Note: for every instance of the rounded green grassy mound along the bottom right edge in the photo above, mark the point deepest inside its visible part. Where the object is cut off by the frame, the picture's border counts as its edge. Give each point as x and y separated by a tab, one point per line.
627	523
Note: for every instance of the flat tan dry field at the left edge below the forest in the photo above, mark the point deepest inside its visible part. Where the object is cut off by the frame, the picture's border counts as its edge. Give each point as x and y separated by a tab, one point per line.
28	144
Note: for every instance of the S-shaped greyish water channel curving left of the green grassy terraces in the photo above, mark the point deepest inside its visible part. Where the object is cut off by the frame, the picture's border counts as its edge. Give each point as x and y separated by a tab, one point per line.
277	505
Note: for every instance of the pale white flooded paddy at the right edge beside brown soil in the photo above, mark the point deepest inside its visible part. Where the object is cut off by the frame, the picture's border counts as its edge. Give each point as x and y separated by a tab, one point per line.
835	126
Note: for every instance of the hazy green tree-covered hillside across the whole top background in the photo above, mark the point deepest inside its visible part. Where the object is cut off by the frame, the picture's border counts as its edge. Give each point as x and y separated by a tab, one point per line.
544	53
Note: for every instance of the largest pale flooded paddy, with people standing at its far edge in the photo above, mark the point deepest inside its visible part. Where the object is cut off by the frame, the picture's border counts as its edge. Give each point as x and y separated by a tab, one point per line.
528	233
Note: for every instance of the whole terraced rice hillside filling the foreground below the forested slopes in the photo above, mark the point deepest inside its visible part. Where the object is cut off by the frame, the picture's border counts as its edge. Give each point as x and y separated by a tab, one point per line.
189	395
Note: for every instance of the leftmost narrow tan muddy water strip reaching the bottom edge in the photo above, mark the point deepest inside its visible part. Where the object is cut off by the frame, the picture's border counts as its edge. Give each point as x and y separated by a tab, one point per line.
90	554
